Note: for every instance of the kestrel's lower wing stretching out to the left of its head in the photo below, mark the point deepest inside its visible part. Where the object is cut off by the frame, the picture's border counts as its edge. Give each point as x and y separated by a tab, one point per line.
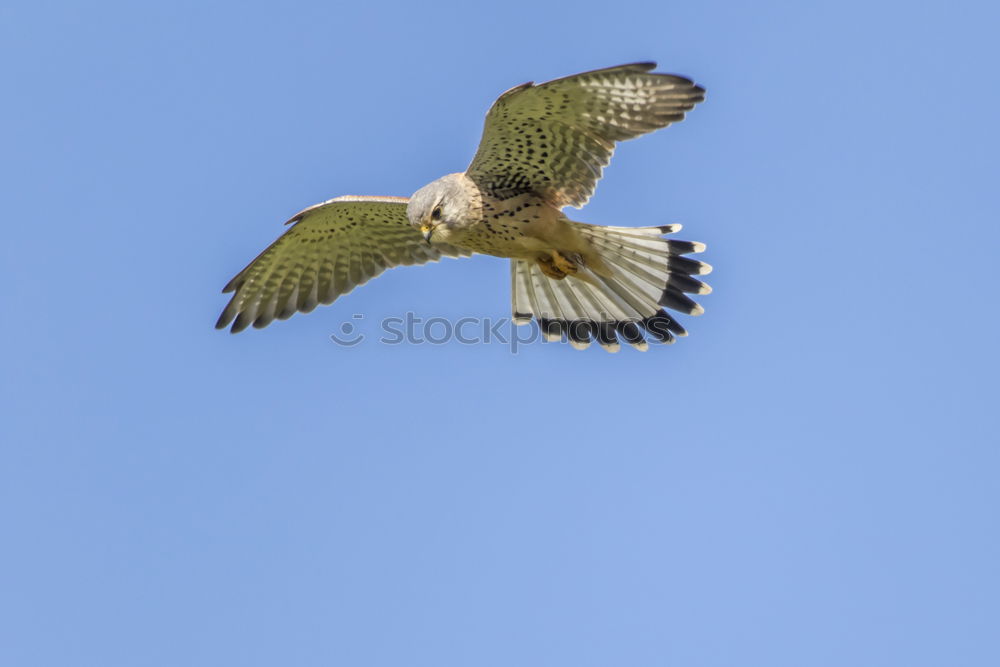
332	248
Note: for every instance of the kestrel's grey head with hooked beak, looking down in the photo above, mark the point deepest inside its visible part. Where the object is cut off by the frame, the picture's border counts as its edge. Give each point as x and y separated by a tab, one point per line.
442	208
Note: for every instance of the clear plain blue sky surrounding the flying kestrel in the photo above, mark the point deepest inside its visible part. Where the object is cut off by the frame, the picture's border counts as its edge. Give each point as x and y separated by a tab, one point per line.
809	479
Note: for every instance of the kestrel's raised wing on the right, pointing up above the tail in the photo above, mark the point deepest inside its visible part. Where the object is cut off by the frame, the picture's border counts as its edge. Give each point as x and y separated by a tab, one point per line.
554	139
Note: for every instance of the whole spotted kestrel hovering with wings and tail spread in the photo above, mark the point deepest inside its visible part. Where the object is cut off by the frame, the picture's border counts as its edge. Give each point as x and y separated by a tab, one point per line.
543	148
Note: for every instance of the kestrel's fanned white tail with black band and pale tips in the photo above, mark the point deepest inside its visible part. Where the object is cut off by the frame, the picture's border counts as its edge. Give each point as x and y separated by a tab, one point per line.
649	273
